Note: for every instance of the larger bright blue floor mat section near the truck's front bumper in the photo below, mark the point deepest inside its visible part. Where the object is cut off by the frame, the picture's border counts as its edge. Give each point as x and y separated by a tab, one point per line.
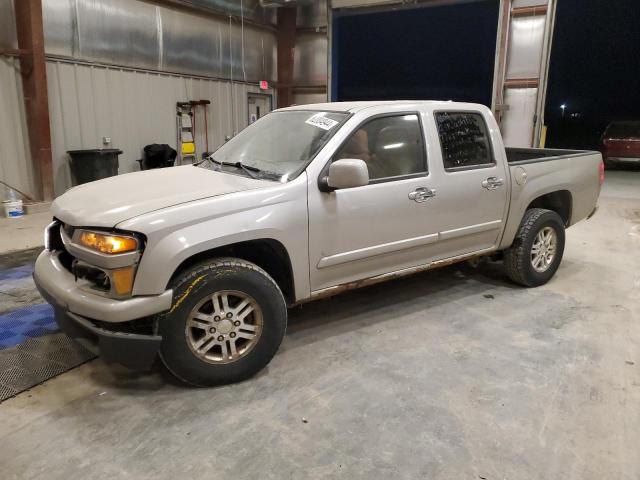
25	323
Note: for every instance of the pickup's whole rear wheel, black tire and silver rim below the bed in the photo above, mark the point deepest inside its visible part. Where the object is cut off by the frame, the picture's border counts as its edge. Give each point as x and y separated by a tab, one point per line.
537	250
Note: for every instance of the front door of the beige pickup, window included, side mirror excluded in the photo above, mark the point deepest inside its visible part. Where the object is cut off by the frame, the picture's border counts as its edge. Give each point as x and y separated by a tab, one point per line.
360	232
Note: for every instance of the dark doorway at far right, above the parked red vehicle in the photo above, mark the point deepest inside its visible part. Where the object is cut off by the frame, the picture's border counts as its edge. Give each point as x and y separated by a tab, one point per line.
594	75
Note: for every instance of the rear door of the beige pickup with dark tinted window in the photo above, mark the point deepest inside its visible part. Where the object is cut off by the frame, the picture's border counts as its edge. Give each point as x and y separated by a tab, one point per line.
472	184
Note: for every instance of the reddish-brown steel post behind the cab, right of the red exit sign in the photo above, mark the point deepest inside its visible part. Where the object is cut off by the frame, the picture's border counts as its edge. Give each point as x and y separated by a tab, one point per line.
286	38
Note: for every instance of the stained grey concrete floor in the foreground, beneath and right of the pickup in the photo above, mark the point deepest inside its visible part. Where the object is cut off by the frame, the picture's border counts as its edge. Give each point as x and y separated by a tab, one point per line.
454	374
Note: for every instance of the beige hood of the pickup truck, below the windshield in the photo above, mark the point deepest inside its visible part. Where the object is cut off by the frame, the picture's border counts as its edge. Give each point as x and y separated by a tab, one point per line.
105	203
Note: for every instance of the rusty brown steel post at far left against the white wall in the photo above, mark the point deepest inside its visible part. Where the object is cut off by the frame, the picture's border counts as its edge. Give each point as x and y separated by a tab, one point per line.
30	31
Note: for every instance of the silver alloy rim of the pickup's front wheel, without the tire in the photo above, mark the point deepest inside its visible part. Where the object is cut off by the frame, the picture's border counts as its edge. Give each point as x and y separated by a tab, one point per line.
224	327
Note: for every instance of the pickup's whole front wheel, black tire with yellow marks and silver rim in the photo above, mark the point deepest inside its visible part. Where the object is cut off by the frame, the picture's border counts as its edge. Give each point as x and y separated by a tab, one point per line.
226	324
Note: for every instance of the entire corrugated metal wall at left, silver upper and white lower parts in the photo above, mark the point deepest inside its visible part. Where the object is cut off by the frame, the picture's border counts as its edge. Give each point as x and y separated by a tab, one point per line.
116	68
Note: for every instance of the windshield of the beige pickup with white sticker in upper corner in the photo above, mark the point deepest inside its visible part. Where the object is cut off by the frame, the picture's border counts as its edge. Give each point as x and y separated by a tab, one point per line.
279	146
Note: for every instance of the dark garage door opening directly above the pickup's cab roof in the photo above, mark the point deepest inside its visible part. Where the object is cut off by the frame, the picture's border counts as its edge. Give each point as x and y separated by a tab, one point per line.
443	52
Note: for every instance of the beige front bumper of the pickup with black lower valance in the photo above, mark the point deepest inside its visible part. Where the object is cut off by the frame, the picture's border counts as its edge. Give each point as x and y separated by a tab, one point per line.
83	315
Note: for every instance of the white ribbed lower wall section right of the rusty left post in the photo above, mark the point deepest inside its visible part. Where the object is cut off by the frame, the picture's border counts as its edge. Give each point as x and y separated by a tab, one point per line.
134	109
